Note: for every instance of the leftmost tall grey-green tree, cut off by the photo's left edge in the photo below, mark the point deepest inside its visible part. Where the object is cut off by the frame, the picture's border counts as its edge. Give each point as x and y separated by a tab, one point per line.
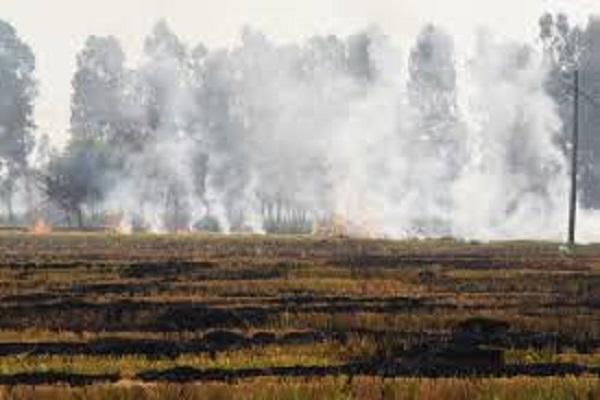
18	89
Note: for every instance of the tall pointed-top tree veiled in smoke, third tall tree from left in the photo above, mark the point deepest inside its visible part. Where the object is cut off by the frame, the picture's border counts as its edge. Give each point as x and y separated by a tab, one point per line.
168	73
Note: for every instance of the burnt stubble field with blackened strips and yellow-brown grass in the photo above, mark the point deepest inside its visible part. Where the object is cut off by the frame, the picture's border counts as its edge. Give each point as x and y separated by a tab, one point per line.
104	316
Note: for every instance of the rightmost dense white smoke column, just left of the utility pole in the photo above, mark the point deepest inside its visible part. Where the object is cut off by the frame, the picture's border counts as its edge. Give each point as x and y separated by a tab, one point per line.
515	175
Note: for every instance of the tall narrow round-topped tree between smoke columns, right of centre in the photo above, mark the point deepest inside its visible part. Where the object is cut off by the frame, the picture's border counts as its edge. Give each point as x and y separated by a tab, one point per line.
432	95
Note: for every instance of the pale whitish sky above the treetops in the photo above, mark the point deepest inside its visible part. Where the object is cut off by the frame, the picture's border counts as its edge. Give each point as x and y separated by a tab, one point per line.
56	29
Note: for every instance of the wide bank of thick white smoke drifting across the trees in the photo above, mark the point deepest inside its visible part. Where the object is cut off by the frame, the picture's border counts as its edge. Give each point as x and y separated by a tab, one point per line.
435	140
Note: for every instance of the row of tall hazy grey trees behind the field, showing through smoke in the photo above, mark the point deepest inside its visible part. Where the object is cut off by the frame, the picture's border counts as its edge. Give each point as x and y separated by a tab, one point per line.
180	137
